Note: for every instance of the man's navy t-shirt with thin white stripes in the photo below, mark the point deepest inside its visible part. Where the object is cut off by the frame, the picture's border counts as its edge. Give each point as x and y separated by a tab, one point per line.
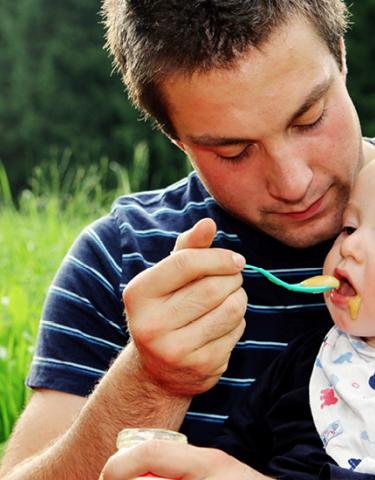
83	326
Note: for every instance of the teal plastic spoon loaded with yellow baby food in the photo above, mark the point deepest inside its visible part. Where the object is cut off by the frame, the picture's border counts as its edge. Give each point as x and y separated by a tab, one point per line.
310	285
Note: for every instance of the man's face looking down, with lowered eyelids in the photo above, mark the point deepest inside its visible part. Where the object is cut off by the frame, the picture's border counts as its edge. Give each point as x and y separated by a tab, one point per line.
275	139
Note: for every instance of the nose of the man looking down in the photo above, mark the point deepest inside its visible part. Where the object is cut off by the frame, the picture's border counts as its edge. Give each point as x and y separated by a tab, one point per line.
288	174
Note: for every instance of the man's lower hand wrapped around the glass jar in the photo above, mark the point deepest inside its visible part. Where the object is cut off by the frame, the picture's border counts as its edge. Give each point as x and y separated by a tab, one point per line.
179	461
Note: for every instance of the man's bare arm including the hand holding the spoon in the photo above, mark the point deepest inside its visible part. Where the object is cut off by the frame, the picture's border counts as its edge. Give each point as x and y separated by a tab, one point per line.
185	315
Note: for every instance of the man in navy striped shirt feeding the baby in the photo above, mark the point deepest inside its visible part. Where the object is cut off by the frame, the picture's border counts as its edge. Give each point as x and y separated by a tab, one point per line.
254	92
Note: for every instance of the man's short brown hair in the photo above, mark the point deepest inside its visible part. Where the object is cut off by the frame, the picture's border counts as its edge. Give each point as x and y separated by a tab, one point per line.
151	39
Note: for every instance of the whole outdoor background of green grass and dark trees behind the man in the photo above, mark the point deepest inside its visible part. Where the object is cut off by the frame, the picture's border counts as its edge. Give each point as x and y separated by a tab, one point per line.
70	143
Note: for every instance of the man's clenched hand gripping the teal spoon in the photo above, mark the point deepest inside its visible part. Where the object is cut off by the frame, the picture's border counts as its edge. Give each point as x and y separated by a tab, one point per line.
185	314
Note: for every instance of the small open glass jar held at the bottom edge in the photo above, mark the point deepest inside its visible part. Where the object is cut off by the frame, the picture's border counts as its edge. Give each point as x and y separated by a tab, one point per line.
134	436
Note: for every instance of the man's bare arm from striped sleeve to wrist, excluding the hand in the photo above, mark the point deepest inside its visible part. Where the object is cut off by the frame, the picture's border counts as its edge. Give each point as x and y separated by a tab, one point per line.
89	439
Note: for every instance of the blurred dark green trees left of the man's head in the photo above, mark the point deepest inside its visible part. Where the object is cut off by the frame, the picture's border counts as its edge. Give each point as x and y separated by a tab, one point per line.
57	93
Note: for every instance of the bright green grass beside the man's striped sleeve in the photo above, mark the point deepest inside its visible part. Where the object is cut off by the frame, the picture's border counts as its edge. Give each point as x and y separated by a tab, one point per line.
34	237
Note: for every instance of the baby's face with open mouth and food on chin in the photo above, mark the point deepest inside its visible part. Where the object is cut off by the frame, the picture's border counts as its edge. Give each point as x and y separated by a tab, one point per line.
352	261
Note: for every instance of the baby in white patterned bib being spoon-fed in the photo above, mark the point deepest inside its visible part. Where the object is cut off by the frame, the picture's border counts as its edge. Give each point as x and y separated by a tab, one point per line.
342	384
